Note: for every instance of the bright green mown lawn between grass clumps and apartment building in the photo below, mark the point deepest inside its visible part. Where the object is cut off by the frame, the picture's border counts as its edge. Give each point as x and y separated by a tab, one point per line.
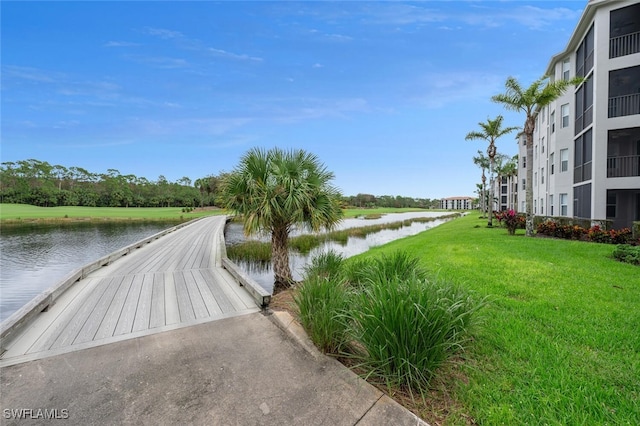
560	343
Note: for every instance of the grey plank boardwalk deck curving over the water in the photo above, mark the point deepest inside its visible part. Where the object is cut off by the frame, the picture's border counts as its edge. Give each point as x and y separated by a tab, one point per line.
174	281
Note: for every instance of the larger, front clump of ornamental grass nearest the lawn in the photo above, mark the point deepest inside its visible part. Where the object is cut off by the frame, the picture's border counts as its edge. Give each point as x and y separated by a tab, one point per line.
406	328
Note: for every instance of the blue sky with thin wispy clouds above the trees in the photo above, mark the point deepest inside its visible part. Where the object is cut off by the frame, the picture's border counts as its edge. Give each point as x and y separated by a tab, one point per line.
382	92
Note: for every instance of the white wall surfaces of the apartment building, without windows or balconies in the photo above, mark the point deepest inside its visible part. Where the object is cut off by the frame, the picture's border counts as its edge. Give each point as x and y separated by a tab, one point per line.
547	141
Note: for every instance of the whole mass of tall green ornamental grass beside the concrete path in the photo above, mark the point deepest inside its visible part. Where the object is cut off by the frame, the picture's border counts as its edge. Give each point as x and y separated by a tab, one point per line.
388	315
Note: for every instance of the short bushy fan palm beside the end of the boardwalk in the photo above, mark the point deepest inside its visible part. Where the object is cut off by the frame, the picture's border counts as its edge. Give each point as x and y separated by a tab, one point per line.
274	191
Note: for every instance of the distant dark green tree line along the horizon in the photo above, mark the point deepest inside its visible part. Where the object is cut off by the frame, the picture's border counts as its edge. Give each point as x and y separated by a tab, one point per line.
40	183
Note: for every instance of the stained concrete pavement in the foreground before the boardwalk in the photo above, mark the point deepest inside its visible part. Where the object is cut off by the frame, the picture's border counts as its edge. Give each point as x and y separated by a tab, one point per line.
246	370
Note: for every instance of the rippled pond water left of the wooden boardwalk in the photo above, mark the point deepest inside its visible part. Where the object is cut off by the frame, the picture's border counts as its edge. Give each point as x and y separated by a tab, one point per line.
34	258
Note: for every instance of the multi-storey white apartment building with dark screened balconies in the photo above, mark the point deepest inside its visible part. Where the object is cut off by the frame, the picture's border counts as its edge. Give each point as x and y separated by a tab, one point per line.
586	159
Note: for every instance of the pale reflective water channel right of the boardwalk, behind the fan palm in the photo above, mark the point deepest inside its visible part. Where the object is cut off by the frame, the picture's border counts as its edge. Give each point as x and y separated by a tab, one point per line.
263	273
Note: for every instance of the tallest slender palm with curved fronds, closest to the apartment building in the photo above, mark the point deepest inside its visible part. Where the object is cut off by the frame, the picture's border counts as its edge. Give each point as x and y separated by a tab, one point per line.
530	101
